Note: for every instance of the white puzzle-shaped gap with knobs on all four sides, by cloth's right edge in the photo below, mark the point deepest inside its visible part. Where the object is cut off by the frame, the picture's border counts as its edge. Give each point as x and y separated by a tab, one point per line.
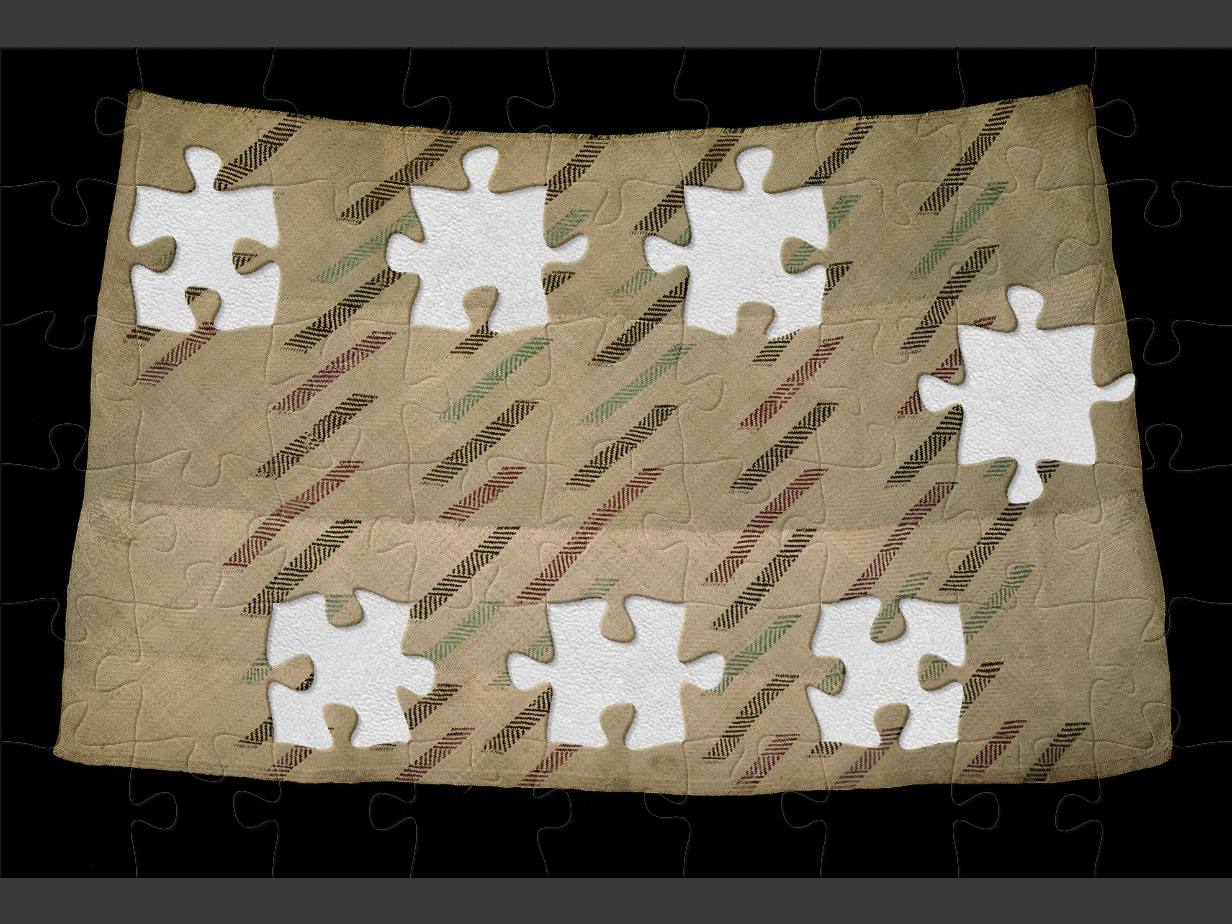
1027	395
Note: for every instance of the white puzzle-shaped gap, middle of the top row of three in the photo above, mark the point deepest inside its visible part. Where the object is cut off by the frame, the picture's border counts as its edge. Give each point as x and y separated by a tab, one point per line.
477	238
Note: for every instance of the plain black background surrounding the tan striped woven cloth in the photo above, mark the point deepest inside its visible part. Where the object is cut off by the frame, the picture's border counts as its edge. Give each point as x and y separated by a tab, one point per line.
1165	140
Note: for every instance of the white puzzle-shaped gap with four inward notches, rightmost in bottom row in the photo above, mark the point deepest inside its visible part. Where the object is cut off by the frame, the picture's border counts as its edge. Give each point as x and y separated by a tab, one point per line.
884	673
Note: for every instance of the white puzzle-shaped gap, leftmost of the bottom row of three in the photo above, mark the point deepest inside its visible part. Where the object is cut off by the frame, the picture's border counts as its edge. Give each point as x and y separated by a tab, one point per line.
359	667
